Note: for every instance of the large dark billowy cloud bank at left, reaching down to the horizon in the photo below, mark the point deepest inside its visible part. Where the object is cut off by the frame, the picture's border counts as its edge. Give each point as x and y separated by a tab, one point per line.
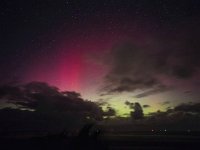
40	104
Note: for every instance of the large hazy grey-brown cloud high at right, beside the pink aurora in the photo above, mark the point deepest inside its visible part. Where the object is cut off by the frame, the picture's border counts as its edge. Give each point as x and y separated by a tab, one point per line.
154	67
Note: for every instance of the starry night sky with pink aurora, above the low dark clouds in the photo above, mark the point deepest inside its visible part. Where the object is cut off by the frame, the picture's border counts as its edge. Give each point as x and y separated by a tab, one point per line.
110	51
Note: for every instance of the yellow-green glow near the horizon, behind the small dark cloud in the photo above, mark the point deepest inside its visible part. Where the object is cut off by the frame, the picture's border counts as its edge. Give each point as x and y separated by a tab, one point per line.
117	102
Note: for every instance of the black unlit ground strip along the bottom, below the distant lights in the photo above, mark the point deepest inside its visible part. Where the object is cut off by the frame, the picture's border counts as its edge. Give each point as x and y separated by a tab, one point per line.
107	142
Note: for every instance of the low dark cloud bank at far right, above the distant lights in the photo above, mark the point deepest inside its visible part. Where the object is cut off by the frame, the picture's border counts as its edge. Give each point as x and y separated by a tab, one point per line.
182	117
